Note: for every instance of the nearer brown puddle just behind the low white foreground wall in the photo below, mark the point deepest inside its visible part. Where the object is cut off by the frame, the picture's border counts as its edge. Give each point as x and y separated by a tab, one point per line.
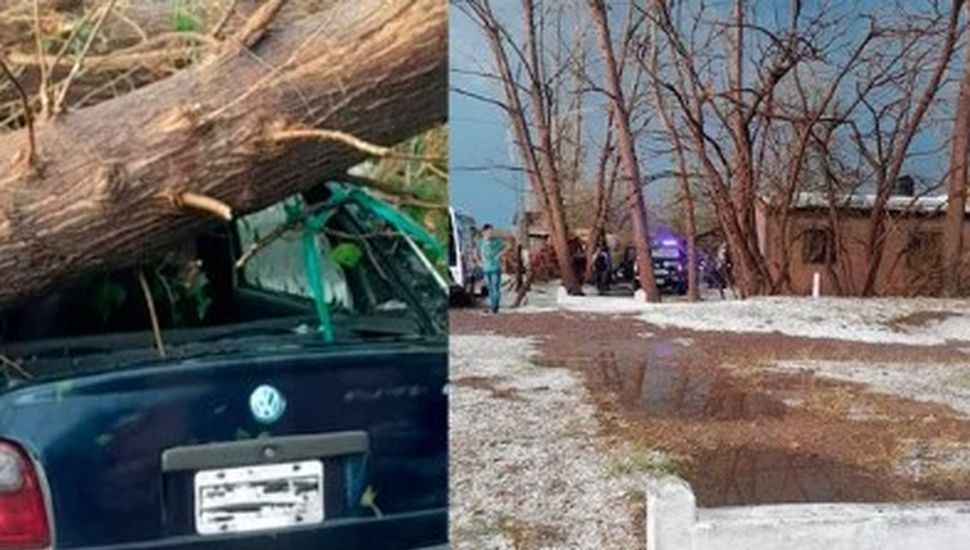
746	475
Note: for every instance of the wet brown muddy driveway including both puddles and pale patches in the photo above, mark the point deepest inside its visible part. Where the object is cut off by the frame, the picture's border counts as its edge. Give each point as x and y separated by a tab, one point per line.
742	430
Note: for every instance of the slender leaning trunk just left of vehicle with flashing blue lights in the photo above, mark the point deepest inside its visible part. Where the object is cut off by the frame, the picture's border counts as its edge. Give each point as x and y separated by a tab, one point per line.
628	155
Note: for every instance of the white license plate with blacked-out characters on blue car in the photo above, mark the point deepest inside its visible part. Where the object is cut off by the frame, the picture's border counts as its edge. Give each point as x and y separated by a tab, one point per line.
257	498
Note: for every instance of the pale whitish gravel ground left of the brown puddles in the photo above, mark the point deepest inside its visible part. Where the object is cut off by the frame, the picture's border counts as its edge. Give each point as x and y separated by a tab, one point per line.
530	465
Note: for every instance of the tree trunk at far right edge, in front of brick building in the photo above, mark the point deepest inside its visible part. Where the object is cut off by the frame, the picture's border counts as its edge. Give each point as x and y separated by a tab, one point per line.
953	263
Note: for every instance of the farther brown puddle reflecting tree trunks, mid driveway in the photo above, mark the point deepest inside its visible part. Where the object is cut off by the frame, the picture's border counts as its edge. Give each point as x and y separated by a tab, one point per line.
662	388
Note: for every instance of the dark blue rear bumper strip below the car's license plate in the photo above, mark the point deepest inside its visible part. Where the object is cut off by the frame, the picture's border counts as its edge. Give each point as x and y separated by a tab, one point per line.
426	530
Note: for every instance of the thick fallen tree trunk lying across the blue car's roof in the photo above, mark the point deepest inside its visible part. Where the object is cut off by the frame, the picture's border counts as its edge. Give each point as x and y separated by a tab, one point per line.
100	195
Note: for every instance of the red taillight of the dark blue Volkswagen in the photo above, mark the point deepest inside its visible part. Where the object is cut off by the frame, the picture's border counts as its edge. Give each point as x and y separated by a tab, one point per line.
23	515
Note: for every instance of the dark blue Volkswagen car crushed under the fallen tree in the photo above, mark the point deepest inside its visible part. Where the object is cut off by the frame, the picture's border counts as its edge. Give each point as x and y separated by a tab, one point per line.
284	414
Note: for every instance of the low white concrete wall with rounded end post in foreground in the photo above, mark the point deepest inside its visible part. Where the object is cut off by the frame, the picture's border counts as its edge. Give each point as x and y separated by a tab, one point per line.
675	523
